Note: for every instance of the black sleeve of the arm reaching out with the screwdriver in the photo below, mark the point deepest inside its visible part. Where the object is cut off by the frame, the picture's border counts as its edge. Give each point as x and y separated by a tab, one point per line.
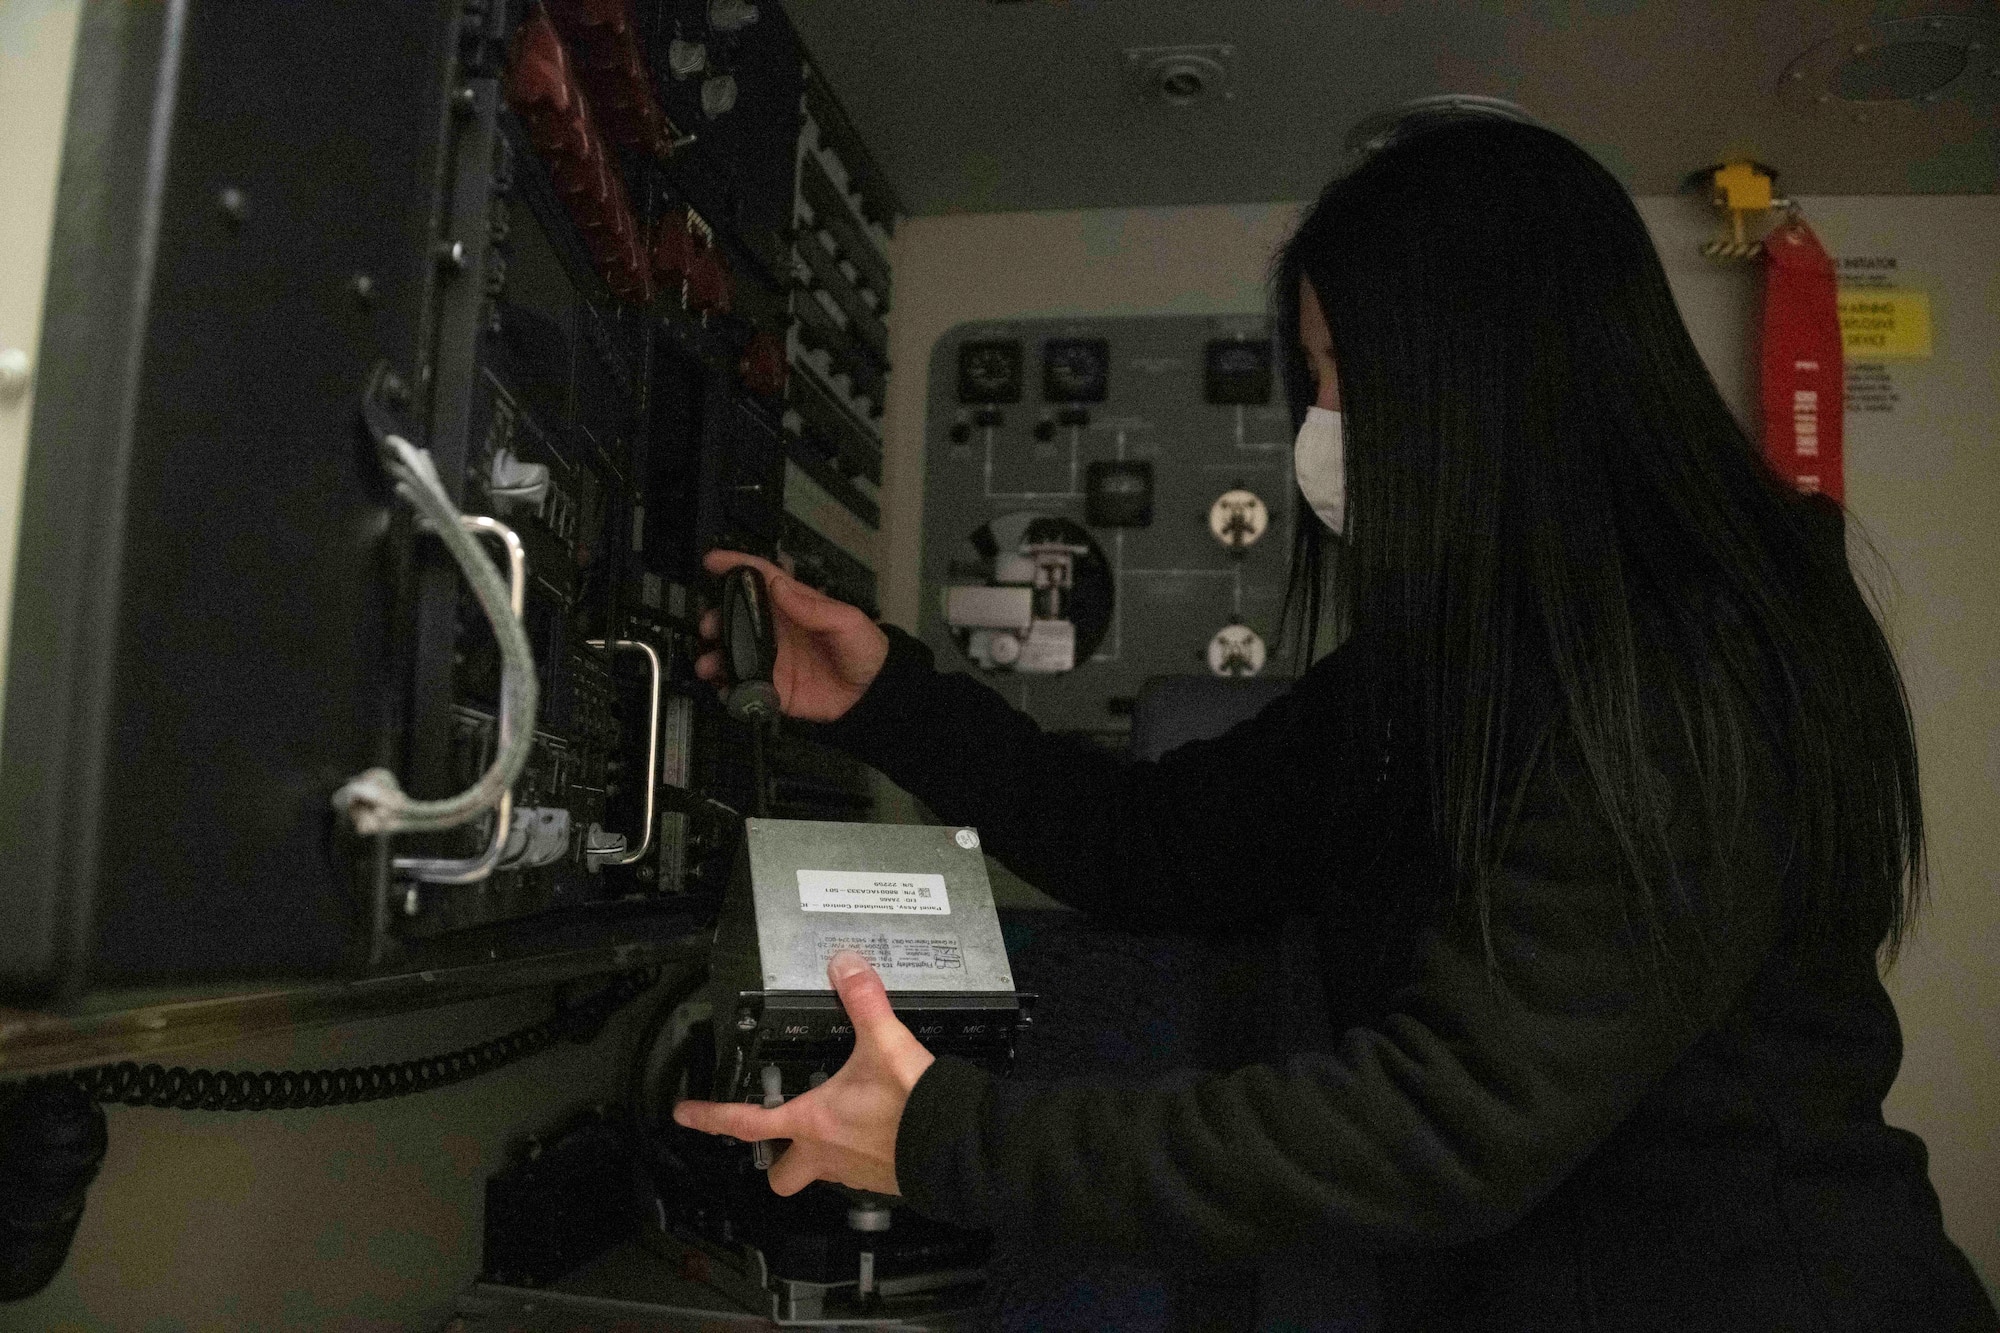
1219	832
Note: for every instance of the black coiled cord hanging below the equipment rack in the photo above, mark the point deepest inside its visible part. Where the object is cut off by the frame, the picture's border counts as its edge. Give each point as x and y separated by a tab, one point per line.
293	1090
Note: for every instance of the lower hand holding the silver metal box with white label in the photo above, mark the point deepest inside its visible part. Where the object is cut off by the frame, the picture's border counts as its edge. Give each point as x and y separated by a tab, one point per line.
843	1130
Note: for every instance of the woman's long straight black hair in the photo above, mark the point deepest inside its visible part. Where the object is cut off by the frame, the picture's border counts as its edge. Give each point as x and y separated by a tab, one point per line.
1555	521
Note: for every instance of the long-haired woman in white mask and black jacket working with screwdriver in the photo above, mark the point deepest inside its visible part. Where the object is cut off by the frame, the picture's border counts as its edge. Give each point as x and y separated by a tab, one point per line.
1607	810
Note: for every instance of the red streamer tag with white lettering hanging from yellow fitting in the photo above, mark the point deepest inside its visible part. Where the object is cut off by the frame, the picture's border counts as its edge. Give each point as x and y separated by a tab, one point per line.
1805	395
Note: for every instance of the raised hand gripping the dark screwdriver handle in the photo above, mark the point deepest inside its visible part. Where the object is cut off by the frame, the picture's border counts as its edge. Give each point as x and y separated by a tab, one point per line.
829	653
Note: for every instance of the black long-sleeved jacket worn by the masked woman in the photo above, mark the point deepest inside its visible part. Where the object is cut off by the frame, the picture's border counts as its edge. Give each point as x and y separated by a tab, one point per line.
1561	1140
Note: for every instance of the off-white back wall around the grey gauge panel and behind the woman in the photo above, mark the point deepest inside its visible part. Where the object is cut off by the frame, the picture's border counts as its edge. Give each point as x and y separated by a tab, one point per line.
1923	485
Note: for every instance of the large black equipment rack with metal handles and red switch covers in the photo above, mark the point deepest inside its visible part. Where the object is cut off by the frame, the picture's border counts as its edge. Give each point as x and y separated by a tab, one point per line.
617	269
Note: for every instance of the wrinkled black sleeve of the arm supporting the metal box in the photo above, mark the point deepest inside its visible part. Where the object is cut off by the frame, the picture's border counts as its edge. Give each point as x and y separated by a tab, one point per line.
1441	1122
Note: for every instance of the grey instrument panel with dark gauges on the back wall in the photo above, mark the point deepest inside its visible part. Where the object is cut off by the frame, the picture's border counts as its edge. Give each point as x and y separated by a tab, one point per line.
1105	501
